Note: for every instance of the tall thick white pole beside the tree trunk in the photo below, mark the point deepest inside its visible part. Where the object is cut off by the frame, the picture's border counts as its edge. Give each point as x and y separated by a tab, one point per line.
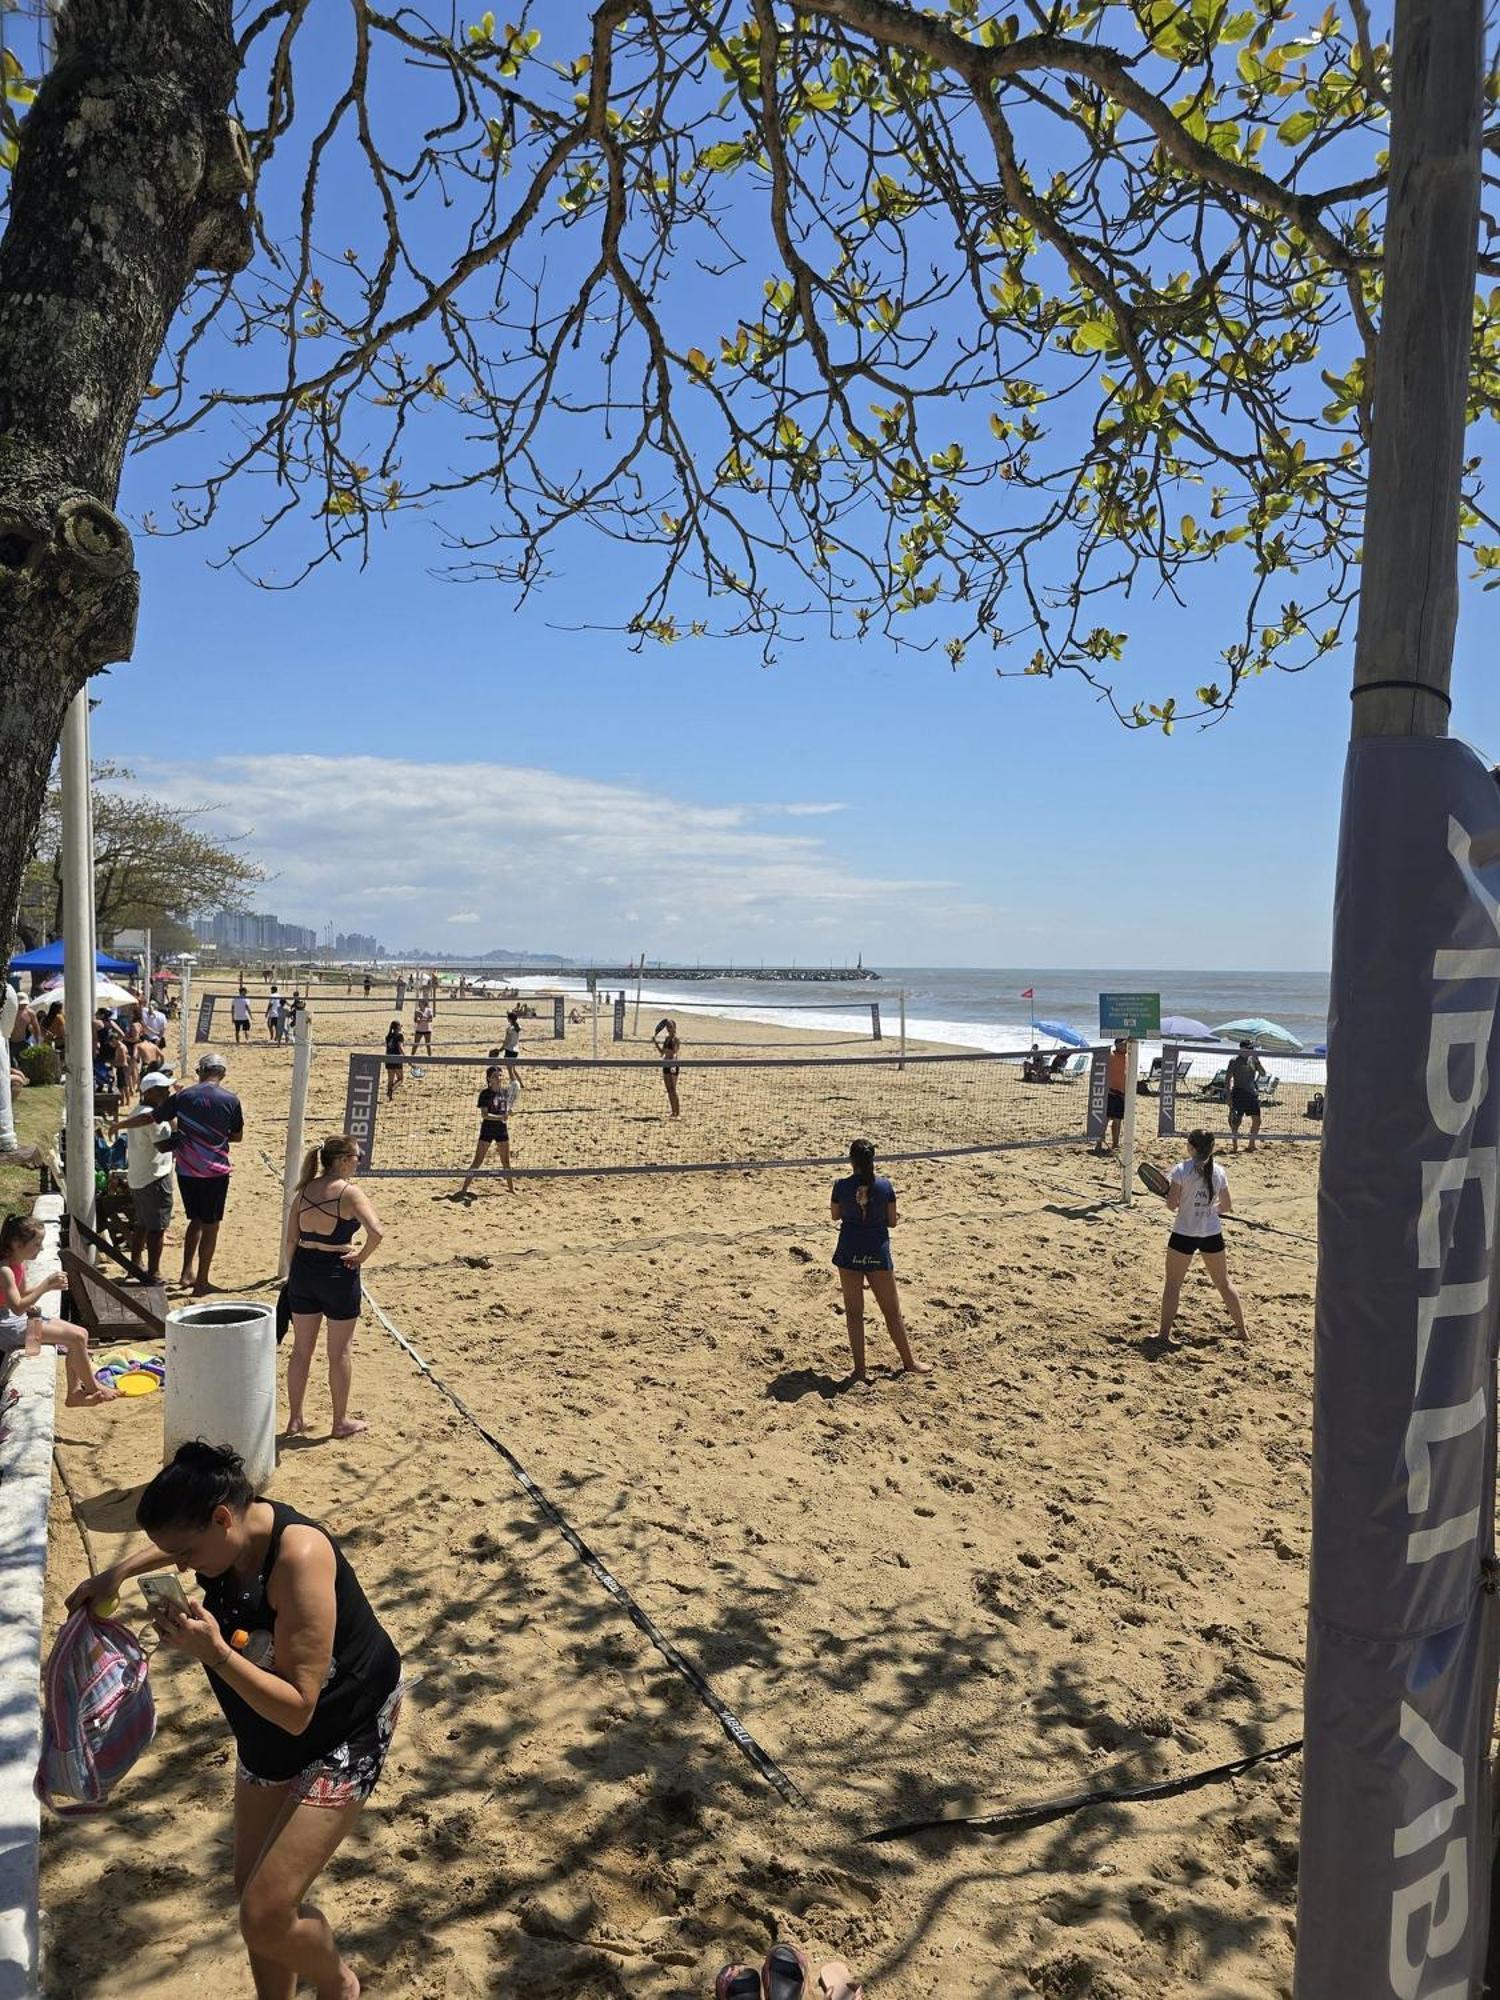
79	963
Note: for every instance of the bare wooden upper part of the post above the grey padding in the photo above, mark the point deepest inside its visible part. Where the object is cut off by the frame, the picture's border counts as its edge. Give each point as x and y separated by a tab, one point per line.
1409	585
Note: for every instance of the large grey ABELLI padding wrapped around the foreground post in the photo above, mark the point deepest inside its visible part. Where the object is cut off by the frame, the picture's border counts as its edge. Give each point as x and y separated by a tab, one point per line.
1401	1679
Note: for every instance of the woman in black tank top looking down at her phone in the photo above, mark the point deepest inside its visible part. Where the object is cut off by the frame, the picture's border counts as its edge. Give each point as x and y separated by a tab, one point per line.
309	1683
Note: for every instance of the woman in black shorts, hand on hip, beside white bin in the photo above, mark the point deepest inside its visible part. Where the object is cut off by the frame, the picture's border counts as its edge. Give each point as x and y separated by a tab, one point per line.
325	1275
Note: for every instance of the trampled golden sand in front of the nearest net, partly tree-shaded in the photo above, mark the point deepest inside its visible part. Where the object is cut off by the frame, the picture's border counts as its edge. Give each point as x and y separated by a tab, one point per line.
1059	1561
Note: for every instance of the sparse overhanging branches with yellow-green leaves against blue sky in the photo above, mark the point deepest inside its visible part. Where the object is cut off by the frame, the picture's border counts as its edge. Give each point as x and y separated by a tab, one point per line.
977	329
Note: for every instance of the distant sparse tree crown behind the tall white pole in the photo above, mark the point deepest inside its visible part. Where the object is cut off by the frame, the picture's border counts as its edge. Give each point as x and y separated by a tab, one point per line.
153	865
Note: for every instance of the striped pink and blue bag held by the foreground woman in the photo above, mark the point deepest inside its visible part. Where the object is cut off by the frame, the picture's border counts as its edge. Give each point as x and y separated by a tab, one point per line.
97	1713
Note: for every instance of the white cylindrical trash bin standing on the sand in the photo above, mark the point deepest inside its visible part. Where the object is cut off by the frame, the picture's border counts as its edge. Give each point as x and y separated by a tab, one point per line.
221	1381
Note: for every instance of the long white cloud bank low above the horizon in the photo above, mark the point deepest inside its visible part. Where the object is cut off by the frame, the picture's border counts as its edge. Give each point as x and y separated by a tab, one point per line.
549	861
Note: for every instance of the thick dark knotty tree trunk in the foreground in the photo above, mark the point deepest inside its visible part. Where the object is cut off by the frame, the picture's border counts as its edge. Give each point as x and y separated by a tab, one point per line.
131	179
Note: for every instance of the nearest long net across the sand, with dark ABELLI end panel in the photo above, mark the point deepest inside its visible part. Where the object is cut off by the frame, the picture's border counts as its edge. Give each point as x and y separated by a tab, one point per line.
613	1117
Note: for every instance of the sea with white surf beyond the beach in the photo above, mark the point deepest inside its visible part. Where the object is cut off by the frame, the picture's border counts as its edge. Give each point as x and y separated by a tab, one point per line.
983	1009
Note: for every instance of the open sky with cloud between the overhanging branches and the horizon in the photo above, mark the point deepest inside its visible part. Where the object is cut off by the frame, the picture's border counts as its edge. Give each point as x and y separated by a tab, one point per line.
425	761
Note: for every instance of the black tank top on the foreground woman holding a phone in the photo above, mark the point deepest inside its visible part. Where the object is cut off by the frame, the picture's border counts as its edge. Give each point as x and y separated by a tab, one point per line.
361	1675
